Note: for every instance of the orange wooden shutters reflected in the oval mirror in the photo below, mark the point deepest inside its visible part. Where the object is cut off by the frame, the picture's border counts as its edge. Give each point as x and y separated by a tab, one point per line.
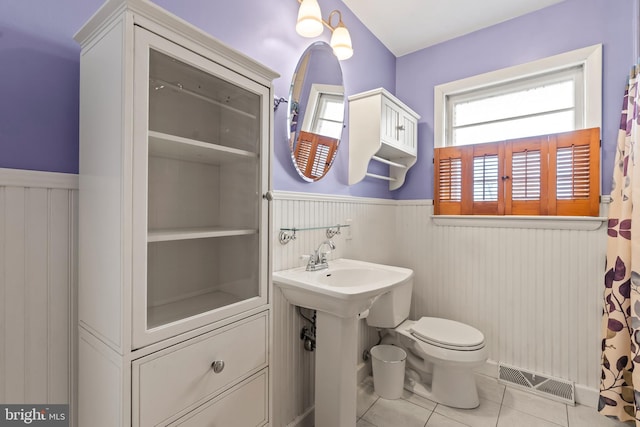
313	153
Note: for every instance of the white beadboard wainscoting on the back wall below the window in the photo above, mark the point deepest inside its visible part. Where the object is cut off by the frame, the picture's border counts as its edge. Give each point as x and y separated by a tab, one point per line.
535	293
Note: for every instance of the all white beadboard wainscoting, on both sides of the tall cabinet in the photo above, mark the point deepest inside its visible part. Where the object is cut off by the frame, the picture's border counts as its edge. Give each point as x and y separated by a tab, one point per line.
535	293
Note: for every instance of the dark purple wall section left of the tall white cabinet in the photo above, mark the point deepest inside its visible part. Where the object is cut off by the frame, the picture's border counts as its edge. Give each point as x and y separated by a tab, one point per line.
39	86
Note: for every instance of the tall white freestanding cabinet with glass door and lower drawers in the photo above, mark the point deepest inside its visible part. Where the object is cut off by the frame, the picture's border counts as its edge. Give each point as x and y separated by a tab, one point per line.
173	229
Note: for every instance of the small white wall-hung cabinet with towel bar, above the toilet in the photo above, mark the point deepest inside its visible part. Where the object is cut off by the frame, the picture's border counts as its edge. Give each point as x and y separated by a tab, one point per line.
382	129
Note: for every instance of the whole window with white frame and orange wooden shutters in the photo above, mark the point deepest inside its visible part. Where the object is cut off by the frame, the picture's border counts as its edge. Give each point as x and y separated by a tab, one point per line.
488	159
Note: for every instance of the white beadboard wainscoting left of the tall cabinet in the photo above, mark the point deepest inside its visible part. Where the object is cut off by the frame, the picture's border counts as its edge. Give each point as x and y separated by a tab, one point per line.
38	270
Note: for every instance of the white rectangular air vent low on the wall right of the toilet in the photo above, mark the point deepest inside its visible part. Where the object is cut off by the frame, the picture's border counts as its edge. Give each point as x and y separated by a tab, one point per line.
543	385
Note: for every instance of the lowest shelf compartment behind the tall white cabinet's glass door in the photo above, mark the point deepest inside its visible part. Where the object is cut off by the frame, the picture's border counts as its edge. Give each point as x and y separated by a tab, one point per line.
193	276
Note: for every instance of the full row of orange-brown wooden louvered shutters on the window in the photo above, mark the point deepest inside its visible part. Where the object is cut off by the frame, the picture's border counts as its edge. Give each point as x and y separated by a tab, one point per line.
546	175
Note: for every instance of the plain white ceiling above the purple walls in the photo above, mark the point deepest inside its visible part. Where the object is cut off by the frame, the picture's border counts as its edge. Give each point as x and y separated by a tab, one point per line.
405	26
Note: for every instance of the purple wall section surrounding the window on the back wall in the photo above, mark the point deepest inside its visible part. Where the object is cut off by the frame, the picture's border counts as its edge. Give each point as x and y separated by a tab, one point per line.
566	26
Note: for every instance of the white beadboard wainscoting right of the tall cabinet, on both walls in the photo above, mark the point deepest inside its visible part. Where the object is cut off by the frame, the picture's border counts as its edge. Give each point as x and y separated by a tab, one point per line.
536	293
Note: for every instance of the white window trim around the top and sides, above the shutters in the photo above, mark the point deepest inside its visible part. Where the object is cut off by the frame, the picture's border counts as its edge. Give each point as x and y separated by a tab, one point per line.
588	58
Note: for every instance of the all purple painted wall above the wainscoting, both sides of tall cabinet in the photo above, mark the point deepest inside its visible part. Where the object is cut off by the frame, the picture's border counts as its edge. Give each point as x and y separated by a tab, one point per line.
39	73
